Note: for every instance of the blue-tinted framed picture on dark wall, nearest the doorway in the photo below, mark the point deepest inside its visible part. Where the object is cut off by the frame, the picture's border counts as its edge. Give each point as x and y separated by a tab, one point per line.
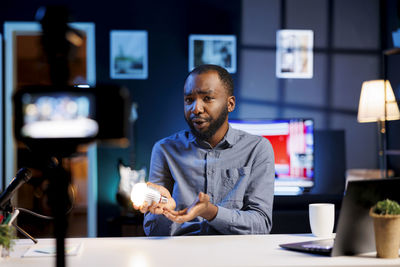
128	54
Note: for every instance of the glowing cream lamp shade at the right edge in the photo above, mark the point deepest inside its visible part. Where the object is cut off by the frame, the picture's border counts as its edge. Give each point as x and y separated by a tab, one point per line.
372	102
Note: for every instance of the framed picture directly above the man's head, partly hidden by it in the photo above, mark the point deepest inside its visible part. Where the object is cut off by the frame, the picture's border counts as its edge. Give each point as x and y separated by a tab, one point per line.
212	49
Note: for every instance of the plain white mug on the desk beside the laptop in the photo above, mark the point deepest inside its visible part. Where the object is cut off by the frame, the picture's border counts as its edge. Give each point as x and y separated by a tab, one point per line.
322	219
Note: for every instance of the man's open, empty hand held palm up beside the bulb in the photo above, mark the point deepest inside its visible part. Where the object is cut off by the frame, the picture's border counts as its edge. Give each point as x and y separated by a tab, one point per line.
200	207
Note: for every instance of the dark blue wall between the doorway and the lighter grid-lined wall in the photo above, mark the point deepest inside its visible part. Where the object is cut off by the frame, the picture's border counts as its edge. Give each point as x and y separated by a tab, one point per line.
158	98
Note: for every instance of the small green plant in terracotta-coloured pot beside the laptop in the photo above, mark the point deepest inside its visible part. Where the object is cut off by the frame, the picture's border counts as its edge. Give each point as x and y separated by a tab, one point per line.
386	216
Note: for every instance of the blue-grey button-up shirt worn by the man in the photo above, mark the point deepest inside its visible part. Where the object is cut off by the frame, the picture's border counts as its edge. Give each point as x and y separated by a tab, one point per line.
238	175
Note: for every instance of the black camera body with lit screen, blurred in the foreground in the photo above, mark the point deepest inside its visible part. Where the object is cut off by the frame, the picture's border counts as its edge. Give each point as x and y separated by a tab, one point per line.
63	116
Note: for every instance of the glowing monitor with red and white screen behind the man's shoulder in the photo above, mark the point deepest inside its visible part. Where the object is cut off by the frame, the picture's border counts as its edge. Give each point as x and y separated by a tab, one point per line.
293	144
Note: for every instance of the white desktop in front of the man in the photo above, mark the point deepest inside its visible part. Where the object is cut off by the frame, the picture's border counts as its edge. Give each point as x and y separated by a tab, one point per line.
253	250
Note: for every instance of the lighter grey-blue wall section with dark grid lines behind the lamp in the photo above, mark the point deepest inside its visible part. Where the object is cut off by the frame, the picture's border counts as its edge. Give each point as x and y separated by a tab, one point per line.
347	52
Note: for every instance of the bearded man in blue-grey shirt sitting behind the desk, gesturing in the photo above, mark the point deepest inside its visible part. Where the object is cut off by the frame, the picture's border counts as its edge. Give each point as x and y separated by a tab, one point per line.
220	180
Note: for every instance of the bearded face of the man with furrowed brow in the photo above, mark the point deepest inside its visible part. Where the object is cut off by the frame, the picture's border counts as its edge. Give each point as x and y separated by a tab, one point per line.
206	105
